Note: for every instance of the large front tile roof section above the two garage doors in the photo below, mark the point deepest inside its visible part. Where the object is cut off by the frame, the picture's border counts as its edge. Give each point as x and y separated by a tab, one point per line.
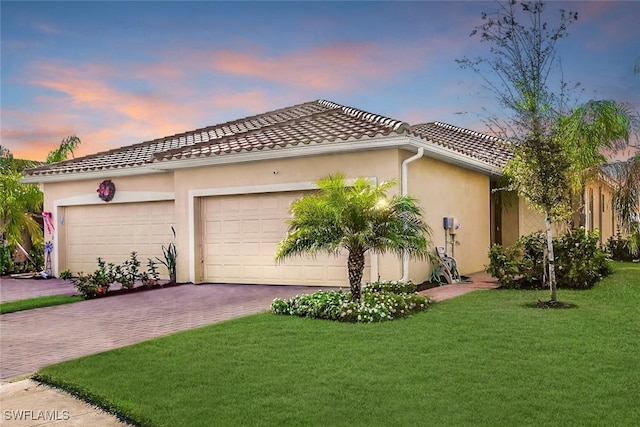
317	121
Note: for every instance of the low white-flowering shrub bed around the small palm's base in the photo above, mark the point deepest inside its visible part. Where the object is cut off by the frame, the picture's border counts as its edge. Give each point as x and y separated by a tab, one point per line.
377	304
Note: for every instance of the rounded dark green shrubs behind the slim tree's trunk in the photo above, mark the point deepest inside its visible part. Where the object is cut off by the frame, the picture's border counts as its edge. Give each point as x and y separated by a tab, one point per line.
580	261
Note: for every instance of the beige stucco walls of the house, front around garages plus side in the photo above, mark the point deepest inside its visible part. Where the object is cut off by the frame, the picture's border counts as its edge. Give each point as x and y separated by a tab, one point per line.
442	190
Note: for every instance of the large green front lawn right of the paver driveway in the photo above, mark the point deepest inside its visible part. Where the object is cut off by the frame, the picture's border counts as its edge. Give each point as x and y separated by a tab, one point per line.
480	359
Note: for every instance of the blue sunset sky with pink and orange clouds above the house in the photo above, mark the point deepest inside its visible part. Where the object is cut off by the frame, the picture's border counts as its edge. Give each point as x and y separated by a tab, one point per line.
117	73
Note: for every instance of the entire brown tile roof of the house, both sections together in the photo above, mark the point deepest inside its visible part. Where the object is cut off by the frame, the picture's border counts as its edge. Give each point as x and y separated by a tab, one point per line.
309	123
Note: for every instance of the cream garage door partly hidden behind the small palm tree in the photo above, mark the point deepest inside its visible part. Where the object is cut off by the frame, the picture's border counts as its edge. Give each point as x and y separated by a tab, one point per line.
240	237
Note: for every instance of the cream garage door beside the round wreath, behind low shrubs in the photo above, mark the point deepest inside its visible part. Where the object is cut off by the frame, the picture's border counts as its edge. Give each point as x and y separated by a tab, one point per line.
113	231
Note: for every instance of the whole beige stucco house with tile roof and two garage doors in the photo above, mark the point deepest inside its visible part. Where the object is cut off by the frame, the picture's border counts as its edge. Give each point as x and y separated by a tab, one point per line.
226	189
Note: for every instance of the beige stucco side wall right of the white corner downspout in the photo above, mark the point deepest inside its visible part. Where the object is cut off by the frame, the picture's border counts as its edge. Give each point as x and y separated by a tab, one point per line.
445	190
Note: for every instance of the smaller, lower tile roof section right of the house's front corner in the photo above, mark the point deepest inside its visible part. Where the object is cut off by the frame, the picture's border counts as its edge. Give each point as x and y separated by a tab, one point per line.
489	149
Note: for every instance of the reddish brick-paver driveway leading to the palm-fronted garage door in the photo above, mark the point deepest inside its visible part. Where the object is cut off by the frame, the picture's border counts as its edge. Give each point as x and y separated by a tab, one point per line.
32	339
